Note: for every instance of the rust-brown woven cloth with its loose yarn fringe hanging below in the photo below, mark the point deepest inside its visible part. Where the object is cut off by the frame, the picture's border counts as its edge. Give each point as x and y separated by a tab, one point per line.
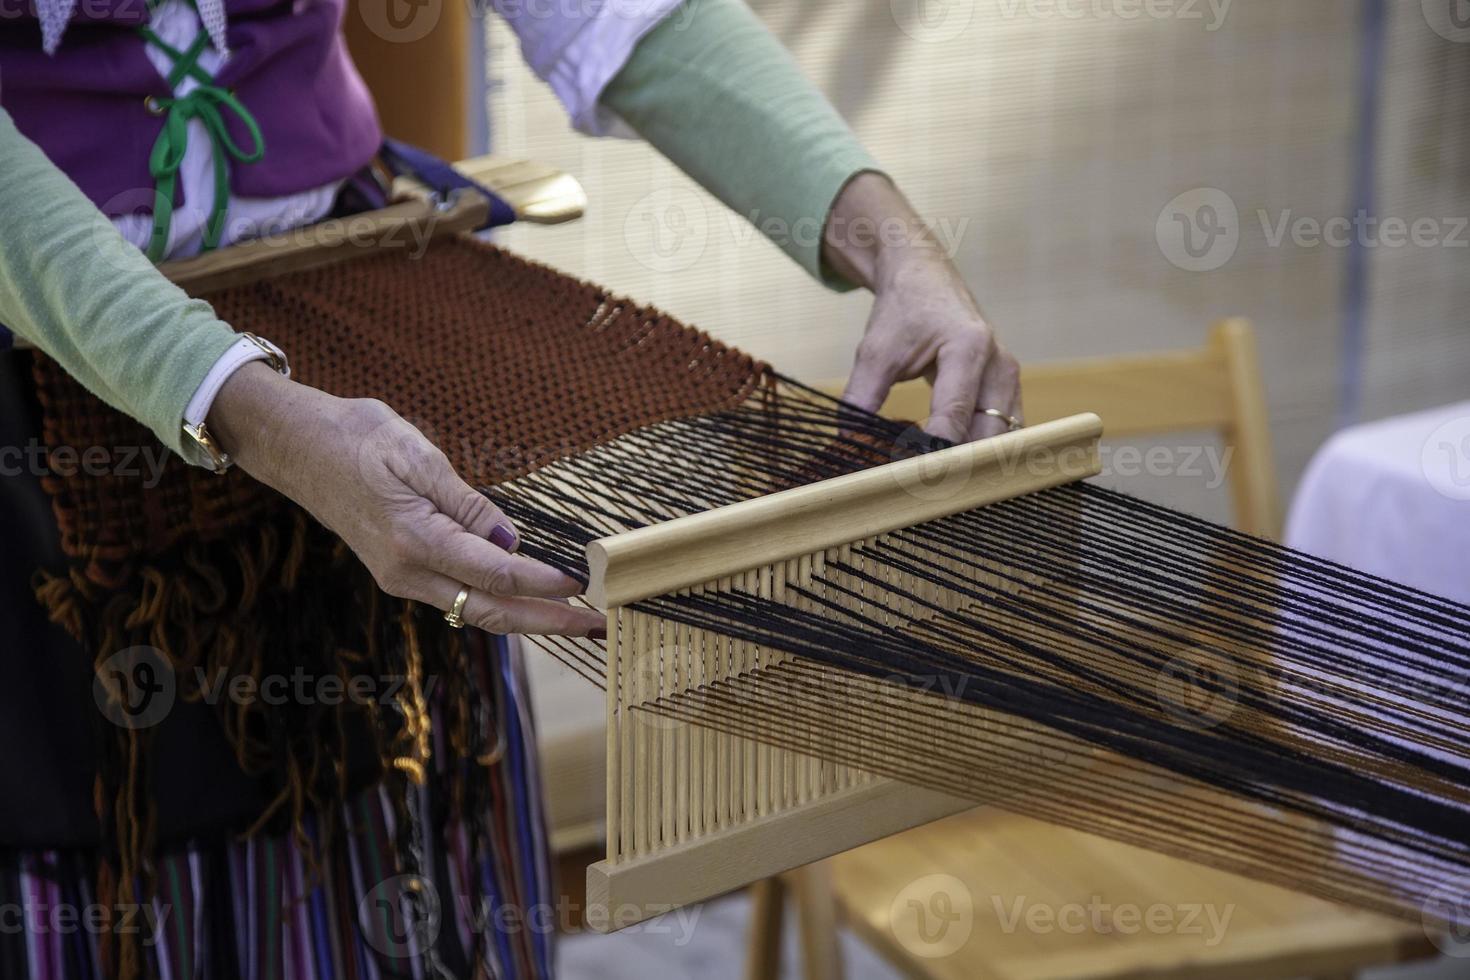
503	364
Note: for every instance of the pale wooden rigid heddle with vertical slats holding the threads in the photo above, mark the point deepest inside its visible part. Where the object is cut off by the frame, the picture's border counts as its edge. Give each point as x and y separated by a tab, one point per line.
695	813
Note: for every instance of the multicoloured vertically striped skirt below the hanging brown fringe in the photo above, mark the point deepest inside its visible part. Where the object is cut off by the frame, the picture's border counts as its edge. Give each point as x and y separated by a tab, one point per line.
280	909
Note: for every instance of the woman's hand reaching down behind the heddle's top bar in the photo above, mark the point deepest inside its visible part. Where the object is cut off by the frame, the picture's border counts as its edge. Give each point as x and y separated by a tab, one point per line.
924	321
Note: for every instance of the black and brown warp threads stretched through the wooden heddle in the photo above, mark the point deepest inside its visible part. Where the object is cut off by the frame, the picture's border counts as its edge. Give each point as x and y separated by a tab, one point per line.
1075	655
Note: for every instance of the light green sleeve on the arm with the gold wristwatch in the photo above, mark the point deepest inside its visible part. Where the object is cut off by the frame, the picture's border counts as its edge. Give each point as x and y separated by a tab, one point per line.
71	286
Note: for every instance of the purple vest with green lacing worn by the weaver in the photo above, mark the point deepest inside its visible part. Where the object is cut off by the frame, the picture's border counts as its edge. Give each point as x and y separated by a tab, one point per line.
289	65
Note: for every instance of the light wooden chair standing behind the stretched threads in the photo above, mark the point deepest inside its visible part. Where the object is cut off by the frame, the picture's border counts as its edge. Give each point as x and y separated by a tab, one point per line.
958	900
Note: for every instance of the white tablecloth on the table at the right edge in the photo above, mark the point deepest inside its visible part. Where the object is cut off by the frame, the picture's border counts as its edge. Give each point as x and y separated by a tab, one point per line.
1393	499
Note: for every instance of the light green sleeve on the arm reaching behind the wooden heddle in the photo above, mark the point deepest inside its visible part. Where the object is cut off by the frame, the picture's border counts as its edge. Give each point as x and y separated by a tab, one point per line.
721	98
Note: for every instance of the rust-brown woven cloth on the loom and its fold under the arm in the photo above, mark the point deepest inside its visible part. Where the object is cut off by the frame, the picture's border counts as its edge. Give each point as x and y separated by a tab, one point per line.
502	362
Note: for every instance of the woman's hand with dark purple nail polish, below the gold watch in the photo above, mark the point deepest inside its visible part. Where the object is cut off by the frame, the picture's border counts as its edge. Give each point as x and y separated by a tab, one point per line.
395	499
